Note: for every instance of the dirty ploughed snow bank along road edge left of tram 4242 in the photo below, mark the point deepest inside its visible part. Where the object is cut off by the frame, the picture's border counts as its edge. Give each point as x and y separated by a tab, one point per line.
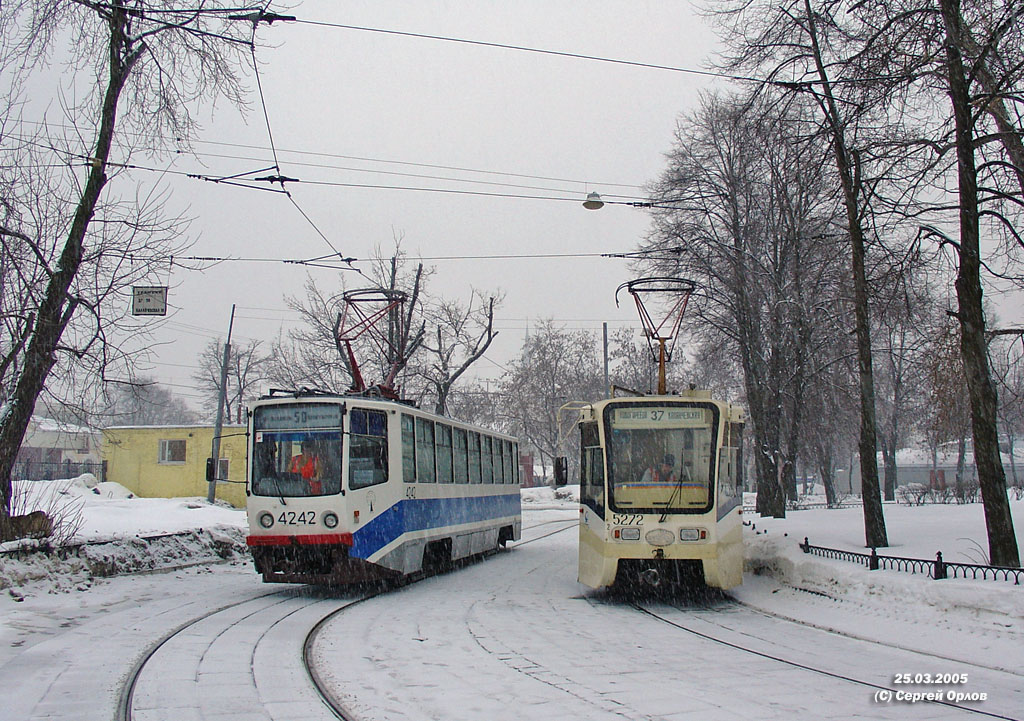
74	567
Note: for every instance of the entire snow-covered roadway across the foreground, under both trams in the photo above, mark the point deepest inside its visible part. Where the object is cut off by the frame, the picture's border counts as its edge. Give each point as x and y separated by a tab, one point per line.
515	638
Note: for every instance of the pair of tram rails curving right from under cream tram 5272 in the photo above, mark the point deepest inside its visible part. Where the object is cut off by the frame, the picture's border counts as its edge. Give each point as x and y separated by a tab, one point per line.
875	688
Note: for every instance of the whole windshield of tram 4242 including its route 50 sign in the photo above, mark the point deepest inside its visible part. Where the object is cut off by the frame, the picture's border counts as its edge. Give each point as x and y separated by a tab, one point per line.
297	450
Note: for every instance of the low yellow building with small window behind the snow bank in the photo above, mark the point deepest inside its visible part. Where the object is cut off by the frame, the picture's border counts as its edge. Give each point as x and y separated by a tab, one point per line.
170	461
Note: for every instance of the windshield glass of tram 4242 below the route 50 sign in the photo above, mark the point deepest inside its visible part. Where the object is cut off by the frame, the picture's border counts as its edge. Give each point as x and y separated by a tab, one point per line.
290	463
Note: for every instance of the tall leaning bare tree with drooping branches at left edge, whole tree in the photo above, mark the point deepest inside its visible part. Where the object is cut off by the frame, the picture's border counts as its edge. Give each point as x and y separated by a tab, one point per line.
151	63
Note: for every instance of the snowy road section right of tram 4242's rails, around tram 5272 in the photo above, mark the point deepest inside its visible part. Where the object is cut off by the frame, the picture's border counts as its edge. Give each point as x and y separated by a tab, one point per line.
518	638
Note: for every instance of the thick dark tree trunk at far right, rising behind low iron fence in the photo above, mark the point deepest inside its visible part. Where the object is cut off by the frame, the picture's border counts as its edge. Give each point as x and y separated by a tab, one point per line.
1002	539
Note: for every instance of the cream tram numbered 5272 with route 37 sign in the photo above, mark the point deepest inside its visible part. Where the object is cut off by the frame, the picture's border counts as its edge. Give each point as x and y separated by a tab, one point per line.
661	492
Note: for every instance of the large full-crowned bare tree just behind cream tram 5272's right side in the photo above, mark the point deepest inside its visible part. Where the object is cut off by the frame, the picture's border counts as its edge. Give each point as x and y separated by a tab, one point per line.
746	215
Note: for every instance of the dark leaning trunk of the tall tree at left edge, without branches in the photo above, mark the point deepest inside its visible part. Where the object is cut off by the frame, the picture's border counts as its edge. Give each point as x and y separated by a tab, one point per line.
58	307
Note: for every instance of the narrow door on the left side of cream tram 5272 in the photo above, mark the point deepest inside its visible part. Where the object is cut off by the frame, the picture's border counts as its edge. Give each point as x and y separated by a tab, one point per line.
592	506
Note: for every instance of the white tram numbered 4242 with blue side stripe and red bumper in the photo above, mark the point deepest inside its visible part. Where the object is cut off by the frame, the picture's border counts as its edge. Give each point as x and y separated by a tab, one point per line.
345	489
